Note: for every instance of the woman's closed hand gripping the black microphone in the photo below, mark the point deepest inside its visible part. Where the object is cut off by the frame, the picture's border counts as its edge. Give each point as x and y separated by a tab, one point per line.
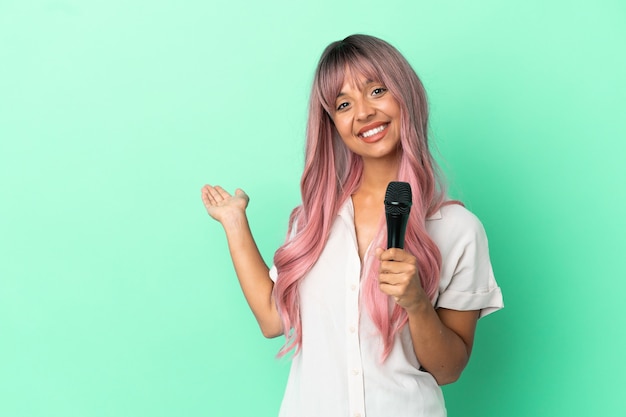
399	278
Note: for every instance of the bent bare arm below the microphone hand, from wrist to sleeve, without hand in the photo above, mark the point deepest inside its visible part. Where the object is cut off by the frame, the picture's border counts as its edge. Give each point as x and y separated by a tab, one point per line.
439	349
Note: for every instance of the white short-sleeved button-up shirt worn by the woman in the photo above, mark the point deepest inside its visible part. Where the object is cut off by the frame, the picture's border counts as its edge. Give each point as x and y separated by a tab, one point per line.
338	371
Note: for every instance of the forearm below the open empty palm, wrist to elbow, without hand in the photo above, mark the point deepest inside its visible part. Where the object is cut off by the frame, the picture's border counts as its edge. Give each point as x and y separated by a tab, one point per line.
253	274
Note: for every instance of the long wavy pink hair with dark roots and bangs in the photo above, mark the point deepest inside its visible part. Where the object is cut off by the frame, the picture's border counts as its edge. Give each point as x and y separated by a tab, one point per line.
332	173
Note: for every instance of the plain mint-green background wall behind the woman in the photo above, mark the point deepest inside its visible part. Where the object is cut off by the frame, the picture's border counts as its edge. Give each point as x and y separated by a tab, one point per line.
117	296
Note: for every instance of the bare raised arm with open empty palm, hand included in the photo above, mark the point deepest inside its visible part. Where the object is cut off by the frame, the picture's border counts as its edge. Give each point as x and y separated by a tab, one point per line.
251	270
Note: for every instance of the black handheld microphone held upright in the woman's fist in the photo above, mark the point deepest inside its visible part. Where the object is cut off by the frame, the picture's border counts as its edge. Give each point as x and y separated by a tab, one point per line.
398	201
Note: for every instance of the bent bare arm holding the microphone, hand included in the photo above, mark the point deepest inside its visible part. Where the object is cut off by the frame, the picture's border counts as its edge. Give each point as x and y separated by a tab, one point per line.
442	339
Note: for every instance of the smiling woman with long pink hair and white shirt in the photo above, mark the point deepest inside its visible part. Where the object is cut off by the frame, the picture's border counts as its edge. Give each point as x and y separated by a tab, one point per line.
373	331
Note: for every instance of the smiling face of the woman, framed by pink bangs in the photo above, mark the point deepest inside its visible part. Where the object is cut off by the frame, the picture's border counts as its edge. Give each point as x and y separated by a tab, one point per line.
367	117
